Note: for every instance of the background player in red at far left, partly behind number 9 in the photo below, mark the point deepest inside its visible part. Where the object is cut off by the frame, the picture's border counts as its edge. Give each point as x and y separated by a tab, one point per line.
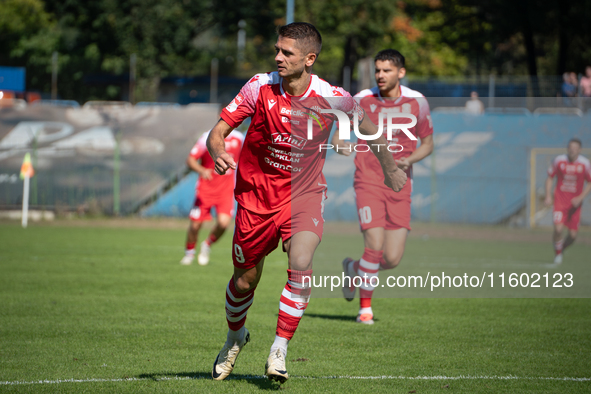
211	190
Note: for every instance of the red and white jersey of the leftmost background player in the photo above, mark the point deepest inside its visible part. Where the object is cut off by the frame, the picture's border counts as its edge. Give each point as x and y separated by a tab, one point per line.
218	184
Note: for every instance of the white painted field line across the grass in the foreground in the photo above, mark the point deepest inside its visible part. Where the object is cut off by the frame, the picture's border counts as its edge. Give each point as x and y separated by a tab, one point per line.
247	377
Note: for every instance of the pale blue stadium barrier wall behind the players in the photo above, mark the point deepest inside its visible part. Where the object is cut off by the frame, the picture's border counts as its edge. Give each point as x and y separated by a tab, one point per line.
480	173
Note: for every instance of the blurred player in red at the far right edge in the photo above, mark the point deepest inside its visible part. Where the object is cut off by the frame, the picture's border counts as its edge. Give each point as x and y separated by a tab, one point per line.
571	171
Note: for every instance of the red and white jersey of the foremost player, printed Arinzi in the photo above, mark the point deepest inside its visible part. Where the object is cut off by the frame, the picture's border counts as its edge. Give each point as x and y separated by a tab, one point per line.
278	161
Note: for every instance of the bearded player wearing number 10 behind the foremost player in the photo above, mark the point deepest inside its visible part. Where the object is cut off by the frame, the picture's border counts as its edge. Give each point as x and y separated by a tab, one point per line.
384	216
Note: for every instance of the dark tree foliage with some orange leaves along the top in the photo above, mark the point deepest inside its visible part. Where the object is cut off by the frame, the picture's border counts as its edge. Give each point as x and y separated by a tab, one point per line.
180	37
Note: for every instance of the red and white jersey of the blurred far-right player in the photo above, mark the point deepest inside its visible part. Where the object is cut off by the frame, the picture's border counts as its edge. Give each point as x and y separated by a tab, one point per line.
570	178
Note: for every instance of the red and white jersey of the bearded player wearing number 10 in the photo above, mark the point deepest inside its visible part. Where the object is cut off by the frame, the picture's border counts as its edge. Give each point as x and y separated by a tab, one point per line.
367	166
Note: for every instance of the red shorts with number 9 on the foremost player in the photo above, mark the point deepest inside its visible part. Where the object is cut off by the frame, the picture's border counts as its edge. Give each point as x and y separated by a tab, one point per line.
258	234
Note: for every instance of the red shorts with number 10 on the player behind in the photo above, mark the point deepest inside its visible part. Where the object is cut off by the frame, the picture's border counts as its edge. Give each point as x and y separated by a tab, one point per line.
378	206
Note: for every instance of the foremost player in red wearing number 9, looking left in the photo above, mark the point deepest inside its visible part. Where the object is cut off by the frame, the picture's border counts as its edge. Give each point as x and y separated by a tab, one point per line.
270	206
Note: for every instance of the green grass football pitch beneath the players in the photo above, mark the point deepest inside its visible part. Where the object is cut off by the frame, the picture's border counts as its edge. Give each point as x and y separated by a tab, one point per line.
112	309
